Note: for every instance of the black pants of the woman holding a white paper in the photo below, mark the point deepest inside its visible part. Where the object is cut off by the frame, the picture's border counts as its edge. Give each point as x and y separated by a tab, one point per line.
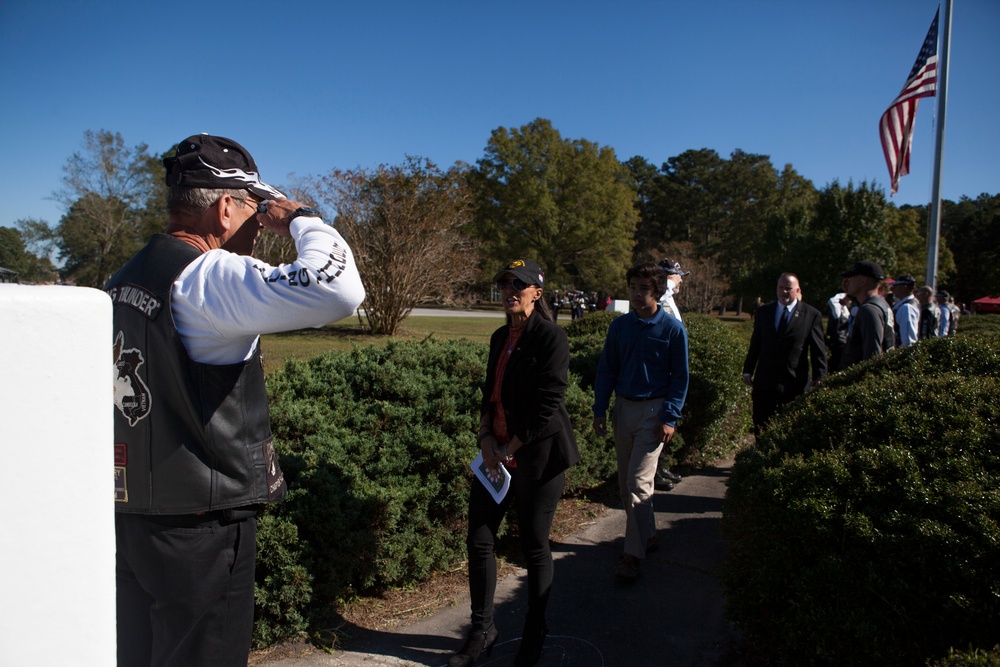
535	503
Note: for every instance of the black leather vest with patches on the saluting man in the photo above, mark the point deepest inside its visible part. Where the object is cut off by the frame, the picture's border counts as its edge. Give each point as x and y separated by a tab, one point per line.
189	437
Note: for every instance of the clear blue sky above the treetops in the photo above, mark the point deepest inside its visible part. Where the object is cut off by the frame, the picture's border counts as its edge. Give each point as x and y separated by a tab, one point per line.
312	86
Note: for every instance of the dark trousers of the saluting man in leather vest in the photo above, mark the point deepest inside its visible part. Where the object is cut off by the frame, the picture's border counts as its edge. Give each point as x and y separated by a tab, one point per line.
185	589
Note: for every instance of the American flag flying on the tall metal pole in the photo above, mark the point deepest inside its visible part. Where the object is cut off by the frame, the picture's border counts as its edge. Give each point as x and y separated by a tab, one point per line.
896	126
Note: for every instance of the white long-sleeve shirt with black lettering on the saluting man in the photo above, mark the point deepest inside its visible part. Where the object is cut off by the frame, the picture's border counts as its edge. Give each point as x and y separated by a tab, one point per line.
222	302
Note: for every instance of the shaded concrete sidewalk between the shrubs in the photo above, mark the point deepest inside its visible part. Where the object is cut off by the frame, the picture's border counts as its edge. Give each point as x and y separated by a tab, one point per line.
671	616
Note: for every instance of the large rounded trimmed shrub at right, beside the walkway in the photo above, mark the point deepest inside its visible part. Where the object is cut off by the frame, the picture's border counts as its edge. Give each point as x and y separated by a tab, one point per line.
864	526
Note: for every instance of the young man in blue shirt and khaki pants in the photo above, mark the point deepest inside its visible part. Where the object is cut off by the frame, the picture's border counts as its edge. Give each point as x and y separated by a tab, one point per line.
645	363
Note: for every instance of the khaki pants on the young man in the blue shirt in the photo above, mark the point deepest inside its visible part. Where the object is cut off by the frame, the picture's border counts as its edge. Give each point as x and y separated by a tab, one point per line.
636	425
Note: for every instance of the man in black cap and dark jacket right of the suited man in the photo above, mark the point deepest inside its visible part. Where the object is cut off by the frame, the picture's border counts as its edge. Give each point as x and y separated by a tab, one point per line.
872	330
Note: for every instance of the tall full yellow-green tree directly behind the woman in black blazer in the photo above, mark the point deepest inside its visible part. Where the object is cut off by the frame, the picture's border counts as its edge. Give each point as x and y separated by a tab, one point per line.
569	204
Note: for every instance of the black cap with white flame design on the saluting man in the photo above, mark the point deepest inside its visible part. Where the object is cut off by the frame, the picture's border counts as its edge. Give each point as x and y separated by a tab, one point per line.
204	161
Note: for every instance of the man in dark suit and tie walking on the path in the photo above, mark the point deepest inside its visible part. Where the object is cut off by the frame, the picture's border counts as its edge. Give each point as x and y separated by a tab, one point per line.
787	334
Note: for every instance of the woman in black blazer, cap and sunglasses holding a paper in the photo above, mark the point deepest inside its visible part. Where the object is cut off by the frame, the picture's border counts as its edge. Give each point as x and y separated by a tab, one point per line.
525	427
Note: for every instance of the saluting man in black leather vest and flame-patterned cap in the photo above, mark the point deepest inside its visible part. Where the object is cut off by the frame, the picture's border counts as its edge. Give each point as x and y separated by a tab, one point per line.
194	458
